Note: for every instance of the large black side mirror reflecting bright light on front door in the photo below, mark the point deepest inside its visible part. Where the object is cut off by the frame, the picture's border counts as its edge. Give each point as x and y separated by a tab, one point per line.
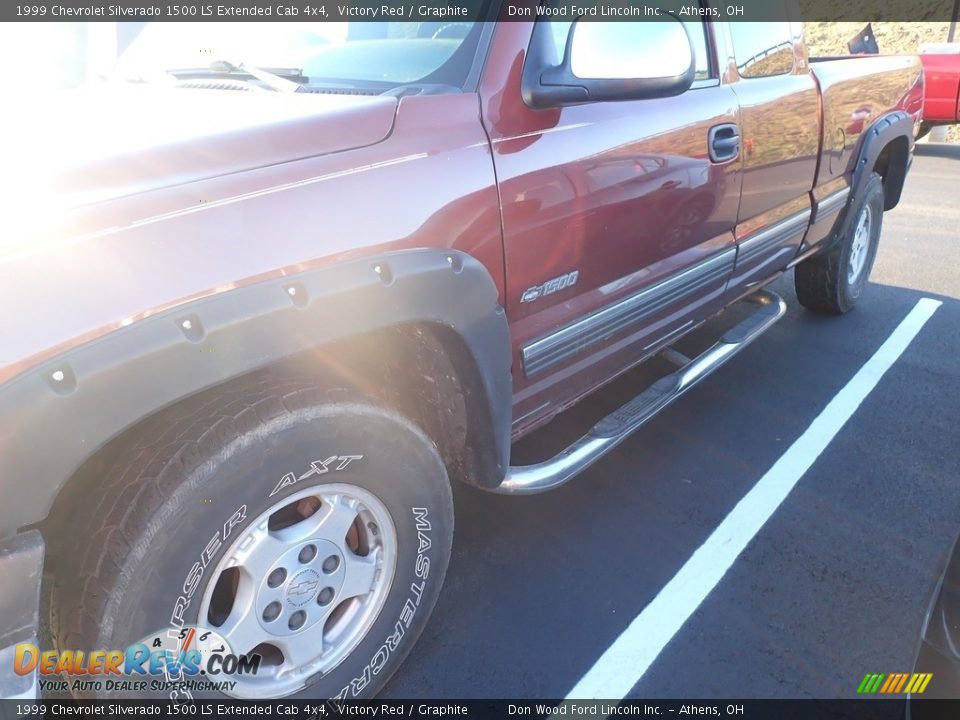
608	61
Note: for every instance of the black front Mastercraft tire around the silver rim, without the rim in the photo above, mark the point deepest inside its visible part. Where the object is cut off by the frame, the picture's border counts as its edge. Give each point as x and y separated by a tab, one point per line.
142	527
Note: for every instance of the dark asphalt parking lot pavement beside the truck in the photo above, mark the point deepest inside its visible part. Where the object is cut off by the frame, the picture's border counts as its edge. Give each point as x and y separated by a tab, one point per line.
835	584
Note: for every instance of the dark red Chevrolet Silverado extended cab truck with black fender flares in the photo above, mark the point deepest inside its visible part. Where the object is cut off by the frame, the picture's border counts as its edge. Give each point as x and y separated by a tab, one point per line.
270	290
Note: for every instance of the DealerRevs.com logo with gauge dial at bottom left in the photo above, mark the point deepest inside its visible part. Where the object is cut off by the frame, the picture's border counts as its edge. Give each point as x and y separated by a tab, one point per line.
188	658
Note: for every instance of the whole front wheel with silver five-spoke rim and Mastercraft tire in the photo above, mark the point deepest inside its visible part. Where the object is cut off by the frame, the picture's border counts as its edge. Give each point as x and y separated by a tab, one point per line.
314	533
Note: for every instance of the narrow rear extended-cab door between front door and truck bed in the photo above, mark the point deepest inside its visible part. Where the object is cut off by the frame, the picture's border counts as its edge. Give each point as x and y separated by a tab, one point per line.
780	125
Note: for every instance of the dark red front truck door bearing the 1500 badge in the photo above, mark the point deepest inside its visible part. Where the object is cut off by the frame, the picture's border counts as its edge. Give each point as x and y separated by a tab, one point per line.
618	225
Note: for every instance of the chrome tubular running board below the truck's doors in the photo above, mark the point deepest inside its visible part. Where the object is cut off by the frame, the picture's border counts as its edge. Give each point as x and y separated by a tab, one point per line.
623	422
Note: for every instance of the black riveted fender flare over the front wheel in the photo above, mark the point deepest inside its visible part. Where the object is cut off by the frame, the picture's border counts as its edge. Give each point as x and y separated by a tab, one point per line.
55	416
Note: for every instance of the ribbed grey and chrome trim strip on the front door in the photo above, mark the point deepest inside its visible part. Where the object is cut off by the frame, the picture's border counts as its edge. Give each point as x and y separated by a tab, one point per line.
580	335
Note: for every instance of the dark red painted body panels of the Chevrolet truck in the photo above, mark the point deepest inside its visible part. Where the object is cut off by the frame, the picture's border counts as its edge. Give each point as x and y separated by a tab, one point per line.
150	198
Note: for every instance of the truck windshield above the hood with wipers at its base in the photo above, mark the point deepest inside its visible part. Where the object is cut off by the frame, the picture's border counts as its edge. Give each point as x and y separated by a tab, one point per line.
357	54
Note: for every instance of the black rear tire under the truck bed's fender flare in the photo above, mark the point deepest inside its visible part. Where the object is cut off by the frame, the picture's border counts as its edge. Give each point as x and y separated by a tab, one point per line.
823	282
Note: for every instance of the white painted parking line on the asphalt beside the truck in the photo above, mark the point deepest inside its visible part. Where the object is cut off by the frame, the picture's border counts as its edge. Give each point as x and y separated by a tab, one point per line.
626	661
